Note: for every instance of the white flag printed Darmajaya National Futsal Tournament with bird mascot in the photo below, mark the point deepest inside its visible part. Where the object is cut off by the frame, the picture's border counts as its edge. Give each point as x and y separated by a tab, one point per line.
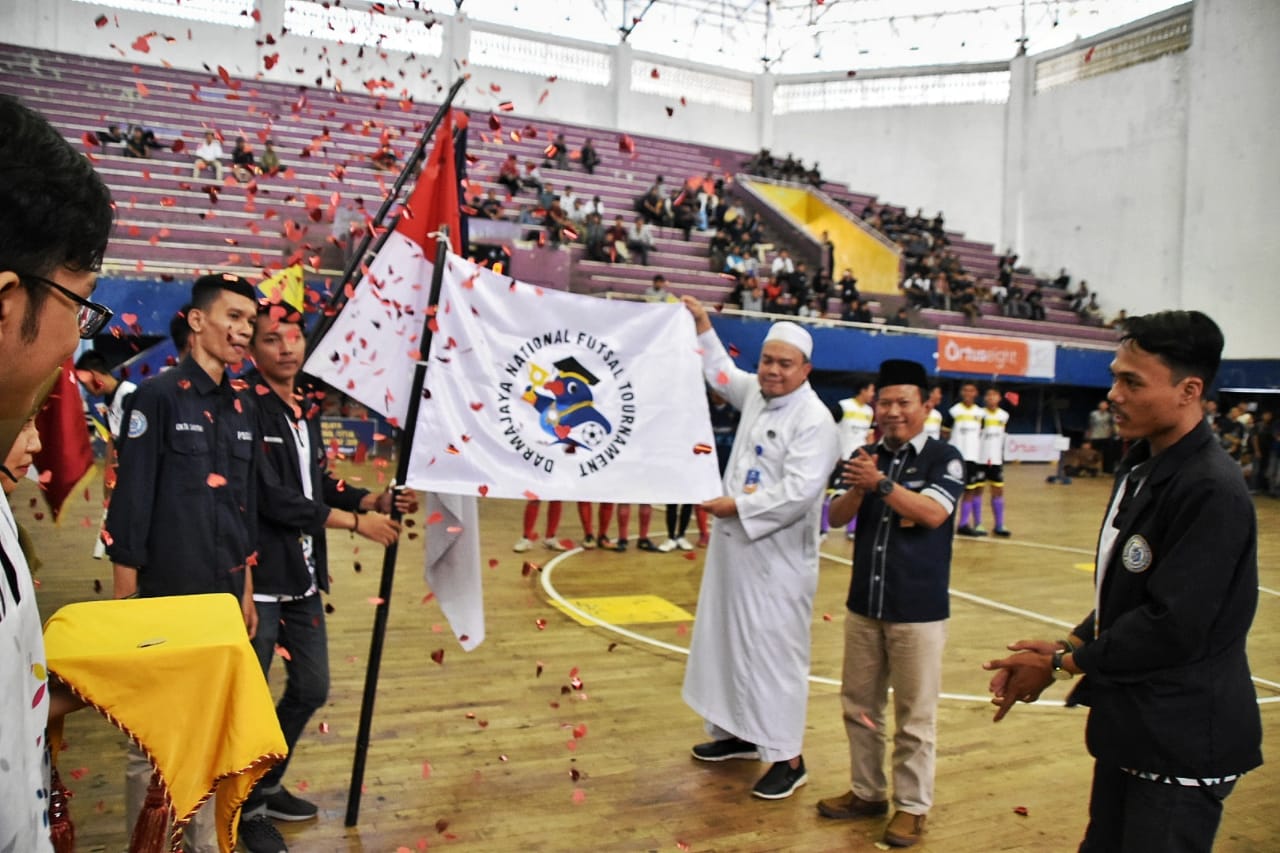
541	394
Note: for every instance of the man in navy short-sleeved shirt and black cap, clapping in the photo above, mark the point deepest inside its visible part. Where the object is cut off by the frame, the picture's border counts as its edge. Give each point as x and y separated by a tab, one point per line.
904	492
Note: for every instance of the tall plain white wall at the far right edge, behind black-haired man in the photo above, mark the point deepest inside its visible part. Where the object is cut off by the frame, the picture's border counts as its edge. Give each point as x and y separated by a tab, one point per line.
1231	253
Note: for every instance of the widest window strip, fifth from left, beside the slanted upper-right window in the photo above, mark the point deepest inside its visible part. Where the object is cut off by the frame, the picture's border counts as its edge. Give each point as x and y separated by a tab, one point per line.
917	90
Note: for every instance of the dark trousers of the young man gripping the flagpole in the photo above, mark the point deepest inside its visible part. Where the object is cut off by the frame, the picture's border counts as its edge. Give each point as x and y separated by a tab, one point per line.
299	628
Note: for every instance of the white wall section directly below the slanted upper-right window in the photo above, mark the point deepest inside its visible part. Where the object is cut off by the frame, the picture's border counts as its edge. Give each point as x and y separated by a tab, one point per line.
1103	183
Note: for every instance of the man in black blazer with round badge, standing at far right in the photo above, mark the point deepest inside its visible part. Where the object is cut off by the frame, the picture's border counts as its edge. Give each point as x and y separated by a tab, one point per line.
1174	720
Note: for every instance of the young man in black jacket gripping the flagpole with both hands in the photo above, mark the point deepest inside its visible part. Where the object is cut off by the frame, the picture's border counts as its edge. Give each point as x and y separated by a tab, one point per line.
298	500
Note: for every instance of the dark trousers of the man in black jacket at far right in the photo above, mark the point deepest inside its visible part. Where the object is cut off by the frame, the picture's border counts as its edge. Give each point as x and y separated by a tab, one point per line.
1131	815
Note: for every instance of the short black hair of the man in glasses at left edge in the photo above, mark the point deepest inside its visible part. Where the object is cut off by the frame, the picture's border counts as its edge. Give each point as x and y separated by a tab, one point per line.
54	208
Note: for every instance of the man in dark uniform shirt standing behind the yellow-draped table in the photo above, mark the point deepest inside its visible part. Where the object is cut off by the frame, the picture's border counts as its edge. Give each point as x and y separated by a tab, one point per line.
185	510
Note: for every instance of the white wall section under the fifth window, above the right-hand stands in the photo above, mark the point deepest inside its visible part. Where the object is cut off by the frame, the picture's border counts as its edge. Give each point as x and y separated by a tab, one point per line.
947	157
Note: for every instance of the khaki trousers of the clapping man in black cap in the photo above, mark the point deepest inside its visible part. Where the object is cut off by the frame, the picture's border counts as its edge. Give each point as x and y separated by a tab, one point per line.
908	658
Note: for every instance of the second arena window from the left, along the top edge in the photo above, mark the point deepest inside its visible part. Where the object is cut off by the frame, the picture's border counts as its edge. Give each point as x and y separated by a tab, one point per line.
364	28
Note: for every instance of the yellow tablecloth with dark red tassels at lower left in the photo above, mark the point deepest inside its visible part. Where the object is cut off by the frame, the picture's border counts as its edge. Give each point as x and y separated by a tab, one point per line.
181	678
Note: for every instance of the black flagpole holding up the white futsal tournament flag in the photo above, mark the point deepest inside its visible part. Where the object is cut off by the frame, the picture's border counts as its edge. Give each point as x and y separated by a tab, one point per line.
385	591
